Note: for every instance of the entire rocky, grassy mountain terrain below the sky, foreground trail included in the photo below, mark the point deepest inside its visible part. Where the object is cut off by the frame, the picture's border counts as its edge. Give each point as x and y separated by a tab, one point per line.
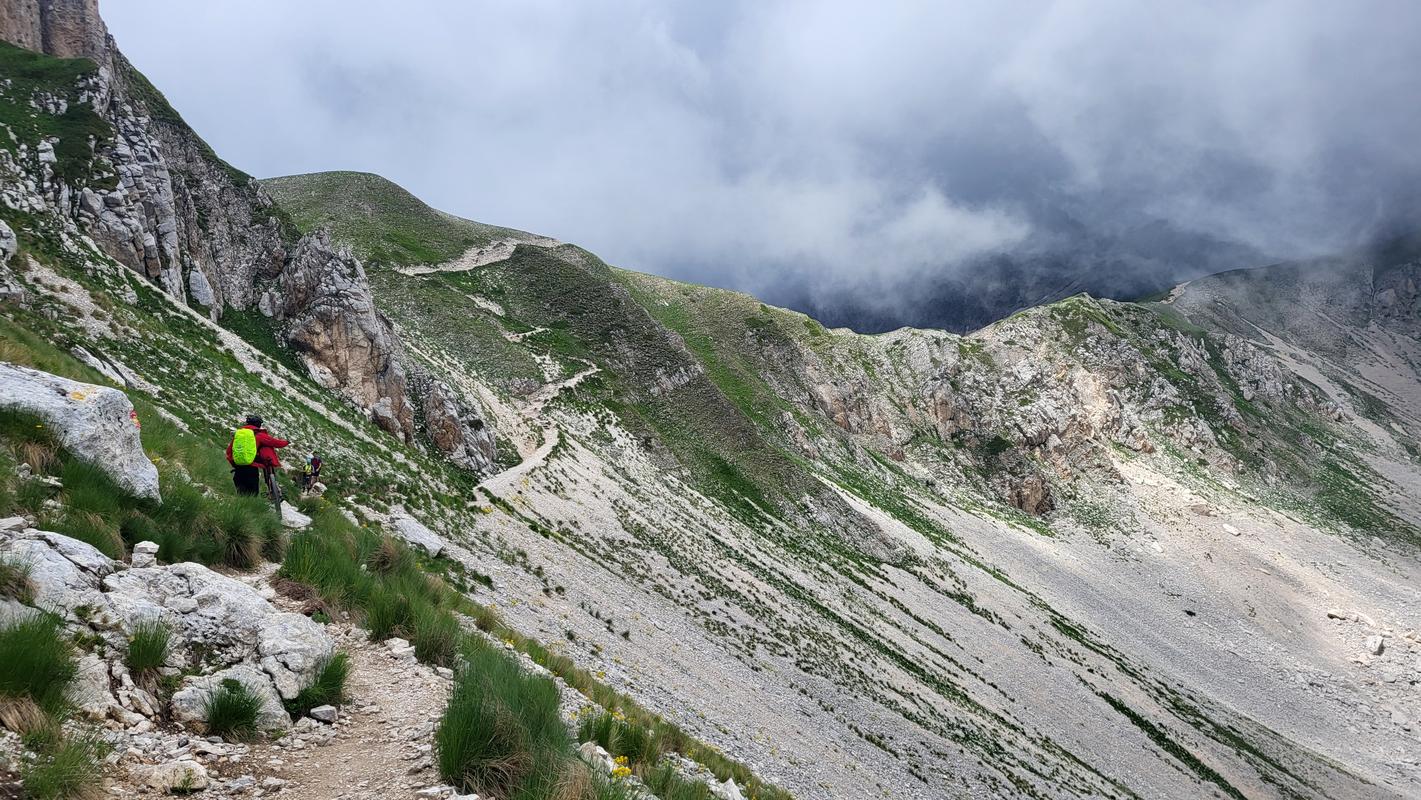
674	541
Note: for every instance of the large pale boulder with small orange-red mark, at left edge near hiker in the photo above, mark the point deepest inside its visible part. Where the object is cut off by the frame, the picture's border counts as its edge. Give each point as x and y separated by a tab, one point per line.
96	424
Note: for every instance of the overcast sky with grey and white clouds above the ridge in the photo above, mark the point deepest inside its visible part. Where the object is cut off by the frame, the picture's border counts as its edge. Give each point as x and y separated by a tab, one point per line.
831	144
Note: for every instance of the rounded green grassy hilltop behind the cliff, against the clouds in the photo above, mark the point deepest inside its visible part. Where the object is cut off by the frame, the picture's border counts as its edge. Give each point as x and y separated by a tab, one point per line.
379	220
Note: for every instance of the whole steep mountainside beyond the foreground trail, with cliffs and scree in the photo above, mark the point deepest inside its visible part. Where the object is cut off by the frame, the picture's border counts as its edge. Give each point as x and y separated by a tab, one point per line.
1092	551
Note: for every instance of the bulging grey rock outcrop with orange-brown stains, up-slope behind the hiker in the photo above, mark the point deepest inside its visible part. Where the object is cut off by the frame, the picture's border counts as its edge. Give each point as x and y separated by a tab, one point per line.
323	305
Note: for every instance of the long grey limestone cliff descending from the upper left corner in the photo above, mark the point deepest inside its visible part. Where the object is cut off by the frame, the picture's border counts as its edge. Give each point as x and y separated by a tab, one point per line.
156	198
